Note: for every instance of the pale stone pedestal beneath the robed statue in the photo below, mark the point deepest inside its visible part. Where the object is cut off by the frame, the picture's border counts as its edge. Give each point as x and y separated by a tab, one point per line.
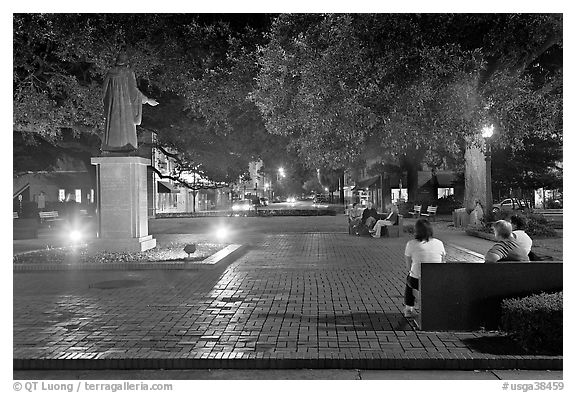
123	204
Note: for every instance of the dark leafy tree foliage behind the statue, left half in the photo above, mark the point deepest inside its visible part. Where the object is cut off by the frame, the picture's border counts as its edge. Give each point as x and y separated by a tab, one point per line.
200	68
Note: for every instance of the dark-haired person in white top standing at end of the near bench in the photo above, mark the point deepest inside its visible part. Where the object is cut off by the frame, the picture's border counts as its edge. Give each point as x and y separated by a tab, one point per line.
424	248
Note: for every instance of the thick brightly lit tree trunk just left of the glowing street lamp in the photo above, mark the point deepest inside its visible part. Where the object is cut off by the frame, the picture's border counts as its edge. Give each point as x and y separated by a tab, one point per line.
474	176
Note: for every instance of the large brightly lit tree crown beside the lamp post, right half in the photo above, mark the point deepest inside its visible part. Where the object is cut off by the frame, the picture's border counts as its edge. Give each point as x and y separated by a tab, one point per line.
408	88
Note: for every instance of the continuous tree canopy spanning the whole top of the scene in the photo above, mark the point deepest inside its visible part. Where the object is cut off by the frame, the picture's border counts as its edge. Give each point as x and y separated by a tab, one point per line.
321	91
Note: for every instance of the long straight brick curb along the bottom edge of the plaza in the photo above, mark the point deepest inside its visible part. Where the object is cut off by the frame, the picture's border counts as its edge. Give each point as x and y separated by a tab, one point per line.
260	360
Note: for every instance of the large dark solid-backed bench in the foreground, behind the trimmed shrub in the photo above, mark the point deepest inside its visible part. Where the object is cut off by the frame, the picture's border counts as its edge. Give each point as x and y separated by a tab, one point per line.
467	296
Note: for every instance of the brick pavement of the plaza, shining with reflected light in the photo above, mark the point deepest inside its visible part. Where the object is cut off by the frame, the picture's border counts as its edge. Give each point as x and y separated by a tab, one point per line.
298	300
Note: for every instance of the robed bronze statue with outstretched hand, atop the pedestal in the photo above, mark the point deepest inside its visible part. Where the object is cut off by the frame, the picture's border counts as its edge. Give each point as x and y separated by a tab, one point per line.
122	107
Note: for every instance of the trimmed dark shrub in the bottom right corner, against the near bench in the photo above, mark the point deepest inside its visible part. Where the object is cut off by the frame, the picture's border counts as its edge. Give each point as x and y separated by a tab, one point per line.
535	322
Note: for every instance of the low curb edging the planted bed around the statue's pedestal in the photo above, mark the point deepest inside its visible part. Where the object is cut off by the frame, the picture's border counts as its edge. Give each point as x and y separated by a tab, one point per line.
227	254
